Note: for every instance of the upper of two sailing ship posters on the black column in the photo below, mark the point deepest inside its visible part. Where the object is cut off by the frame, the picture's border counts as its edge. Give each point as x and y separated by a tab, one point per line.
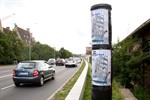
100	26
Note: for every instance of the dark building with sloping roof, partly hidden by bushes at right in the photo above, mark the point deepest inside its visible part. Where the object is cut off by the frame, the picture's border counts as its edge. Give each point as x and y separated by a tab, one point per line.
143	32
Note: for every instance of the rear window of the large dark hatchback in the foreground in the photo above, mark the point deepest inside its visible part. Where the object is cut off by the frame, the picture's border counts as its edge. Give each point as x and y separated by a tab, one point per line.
26	65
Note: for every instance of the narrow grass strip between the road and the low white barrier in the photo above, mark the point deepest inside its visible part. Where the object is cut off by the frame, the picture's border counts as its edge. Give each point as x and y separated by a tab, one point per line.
63	92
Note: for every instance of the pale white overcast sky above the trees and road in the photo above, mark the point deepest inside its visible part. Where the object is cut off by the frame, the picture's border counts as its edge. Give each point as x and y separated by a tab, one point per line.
67	23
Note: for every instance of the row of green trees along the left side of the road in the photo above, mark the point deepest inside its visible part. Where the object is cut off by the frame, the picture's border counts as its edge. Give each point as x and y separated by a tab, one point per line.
13	48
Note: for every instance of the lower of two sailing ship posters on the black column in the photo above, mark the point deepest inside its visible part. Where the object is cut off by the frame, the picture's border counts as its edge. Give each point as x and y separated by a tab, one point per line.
101	67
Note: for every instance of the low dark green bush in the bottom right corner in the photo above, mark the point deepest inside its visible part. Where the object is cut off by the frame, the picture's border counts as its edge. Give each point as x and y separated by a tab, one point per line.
141	93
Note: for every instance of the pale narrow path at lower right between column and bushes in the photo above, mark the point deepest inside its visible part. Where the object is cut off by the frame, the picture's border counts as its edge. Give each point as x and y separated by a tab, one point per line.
127	94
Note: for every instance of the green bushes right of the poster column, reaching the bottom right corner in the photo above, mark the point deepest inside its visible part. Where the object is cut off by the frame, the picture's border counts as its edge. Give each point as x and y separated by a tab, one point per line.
129	59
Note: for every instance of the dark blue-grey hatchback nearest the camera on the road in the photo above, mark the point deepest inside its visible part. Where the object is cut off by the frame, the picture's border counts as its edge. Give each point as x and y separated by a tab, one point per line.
34	71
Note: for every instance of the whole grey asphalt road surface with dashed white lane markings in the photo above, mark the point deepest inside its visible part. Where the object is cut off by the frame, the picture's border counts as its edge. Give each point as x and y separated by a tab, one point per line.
8	91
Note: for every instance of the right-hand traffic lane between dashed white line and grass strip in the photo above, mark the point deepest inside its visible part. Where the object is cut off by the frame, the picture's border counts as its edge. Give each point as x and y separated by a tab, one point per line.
33	92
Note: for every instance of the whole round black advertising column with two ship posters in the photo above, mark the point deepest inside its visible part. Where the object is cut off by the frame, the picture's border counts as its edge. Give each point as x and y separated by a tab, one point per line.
101	52
